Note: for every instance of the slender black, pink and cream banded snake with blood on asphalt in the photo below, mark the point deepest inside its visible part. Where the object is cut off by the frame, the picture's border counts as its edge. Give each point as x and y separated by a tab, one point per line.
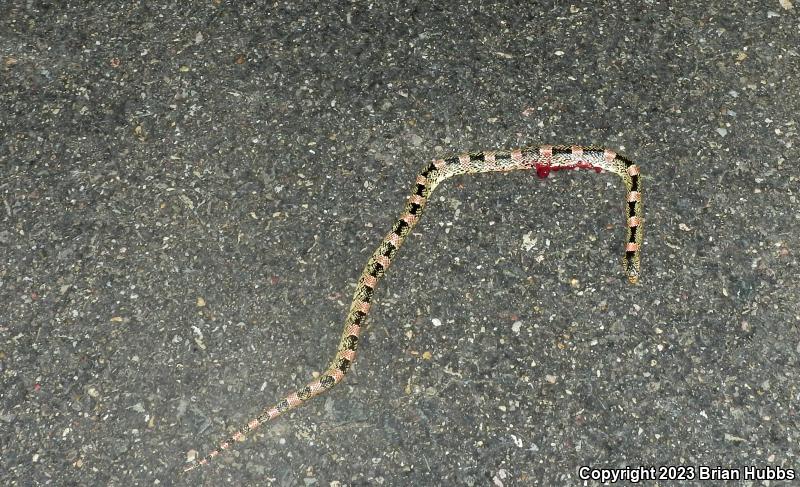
543	159
